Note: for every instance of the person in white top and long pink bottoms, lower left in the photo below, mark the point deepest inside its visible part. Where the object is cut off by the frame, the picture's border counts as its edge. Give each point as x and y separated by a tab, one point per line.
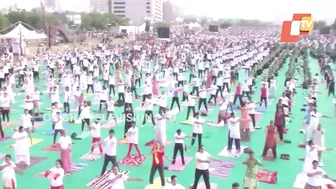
65	143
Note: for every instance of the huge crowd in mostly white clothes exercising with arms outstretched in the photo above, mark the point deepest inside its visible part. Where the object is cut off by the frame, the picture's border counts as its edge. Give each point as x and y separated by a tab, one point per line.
193	71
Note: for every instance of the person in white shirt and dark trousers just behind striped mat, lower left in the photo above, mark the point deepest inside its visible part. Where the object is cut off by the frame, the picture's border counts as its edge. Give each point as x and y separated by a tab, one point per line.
110	151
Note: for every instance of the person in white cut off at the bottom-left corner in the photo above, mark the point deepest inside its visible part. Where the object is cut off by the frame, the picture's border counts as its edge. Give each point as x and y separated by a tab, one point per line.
8	169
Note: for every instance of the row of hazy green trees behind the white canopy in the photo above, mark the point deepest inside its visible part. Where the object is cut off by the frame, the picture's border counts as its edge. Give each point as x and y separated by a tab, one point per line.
34	18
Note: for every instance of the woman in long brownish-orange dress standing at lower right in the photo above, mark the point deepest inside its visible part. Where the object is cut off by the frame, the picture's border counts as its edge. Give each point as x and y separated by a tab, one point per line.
270	141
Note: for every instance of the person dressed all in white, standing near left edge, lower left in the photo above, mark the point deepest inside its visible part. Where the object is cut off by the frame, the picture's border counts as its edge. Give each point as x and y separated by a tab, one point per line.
21	146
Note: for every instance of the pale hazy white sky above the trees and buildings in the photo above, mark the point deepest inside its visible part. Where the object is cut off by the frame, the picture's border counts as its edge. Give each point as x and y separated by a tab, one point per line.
271	10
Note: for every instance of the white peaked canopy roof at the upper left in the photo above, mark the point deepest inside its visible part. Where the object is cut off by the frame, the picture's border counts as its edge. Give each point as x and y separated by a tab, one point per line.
24	32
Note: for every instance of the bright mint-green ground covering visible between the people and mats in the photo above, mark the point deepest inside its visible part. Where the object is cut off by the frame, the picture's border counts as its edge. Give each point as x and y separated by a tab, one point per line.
287	170
